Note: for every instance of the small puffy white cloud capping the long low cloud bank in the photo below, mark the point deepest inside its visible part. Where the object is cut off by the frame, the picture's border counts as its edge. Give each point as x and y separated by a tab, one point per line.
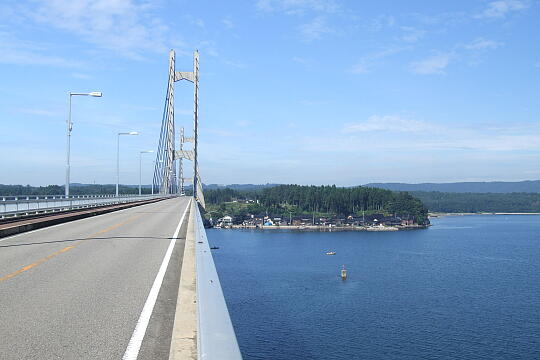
393	123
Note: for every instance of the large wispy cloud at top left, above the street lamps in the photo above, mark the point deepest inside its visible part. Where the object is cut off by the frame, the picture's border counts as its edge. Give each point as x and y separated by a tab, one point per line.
122	26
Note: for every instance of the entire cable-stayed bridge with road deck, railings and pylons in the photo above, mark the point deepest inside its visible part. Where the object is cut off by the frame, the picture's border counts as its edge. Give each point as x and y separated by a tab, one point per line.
116	277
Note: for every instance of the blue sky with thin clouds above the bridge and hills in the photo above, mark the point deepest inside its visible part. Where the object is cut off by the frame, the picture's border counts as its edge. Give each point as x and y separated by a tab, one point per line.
291	91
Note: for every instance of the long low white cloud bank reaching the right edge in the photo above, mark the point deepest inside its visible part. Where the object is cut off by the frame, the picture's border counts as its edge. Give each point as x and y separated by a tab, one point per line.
395	133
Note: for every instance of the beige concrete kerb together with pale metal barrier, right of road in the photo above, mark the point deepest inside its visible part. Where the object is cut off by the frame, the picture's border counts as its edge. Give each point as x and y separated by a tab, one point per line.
202	326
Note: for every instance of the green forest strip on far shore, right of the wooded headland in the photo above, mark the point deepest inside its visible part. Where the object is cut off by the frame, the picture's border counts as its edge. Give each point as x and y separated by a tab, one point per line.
479	202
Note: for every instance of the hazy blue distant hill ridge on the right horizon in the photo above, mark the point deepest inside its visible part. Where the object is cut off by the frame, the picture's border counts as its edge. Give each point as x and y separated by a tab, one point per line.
529	186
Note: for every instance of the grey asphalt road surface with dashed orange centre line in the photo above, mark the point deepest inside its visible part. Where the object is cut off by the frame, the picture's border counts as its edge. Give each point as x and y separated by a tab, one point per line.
76	290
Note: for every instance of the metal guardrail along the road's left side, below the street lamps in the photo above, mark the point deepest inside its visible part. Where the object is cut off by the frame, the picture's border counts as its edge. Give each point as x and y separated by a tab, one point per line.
15	206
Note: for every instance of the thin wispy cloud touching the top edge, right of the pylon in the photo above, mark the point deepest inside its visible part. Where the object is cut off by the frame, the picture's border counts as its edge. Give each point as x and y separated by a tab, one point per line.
293	7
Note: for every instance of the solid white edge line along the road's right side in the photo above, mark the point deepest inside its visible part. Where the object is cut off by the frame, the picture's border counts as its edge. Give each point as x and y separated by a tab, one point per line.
132	350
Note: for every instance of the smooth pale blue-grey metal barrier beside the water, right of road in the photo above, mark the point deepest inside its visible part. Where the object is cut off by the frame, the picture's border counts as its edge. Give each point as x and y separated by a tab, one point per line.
216	338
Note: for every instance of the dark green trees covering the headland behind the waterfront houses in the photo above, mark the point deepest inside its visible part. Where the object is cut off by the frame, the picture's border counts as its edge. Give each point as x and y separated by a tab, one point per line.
284	200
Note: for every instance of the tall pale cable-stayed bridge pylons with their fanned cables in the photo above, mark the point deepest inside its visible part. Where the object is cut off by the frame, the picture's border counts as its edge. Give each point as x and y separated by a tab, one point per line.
166	178
